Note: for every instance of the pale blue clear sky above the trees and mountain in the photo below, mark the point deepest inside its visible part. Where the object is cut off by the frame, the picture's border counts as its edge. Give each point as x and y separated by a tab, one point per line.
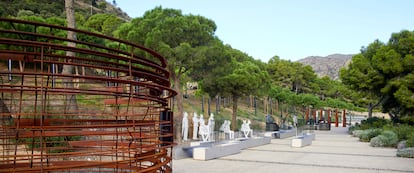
293	29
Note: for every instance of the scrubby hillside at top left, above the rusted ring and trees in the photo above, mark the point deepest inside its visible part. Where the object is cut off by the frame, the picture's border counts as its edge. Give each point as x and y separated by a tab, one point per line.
48	8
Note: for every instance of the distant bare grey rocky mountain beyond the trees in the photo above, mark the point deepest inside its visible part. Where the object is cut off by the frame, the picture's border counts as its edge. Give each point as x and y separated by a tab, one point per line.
327	66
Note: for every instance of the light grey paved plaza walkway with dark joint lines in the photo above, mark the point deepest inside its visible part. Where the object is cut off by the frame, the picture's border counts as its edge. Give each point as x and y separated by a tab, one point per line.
333	151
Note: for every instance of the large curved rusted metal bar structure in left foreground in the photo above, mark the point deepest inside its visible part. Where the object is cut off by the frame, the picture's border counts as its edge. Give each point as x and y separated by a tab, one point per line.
111	116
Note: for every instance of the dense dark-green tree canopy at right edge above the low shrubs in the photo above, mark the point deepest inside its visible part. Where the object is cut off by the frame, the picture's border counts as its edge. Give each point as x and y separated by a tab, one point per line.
383	72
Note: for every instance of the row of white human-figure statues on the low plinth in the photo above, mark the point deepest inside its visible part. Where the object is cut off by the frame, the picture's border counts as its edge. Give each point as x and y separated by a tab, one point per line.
206	131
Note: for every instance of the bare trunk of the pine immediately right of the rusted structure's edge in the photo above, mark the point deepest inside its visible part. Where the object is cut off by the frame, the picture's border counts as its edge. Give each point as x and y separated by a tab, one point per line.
179	116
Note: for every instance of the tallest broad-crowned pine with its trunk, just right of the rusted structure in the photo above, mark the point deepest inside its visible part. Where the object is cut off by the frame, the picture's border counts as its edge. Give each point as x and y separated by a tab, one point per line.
182	39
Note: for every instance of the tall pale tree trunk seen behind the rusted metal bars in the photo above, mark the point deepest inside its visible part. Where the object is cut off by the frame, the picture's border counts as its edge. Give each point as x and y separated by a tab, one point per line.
71	104
